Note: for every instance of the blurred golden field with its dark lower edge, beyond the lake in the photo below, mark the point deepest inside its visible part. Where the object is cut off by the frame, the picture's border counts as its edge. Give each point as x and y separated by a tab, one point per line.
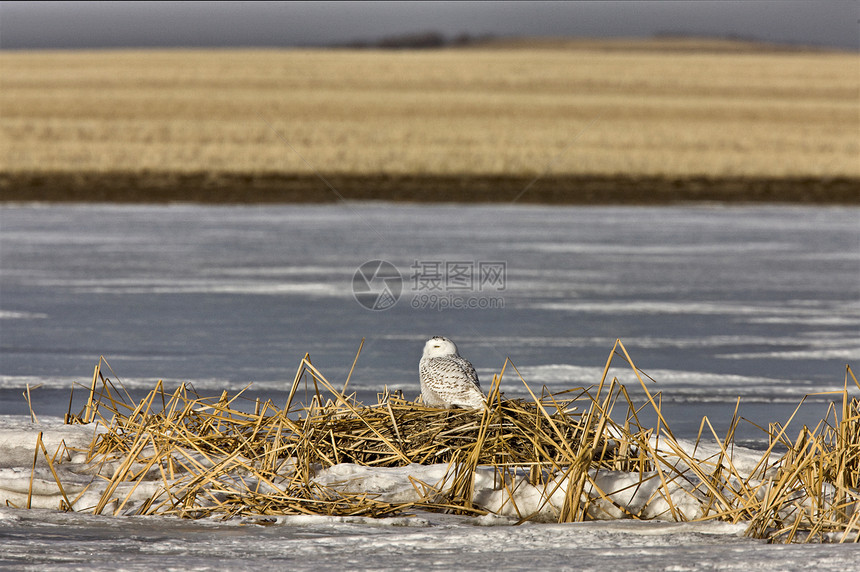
670	110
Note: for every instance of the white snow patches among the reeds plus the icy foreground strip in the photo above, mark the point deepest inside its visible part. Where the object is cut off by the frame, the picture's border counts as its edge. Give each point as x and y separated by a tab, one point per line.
44	536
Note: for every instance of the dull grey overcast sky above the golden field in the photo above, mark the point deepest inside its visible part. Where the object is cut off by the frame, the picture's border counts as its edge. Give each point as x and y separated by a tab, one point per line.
203	24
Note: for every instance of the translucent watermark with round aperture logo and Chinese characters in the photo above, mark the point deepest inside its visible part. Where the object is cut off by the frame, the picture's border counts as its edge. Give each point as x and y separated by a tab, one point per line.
436	284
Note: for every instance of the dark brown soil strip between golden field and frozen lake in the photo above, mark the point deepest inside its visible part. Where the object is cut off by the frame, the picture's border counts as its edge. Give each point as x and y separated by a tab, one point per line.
161	187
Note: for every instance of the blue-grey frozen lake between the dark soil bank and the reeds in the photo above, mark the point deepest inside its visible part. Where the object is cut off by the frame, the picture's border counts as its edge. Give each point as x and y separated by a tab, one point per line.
712	302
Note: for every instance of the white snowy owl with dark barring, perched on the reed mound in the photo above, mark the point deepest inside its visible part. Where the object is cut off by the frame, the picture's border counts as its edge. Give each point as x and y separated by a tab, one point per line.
446	378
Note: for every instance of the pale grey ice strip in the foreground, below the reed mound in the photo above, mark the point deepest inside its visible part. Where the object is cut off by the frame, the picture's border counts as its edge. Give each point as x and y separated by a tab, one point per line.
39	538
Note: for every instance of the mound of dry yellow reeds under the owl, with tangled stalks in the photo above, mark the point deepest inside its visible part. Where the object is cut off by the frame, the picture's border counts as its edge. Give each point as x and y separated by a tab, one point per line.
220	456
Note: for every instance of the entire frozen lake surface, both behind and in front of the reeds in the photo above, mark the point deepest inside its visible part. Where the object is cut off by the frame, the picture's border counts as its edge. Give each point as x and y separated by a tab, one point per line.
712	302
